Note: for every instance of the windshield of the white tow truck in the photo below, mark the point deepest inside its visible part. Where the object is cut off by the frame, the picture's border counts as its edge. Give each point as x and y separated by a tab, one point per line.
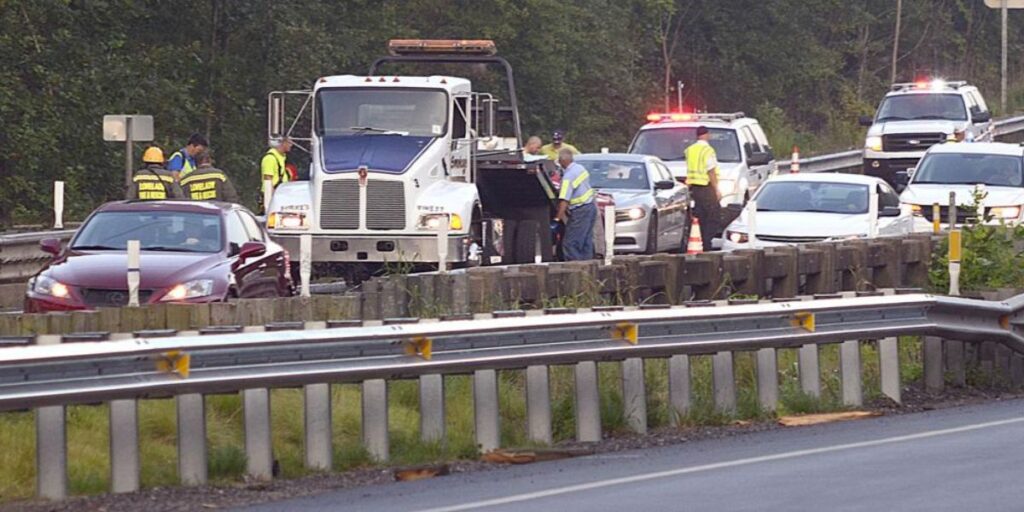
375	111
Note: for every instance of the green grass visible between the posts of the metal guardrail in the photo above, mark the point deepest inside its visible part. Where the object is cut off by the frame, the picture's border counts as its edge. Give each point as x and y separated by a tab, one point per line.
89	430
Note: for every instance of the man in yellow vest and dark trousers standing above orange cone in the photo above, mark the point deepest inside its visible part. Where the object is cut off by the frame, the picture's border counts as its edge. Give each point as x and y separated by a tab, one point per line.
702	179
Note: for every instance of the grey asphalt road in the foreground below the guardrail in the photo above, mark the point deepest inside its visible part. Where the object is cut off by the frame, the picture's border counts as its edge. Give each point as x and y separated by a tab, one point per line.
956	459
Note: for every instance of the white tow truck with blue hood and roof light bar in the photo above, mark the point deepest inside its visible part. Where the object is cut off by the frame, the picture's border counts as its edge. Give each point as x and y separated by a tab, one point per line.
395	159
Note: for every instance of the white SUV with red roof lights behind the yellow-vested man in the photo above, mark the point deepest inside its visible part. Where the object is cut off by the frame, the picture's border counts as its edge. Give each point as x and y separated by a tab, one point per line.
745	158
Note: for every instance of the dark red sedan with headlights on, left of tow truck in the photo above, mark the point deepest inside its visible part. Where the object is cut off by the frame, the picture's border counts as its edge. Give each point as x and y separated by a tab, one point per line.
191	252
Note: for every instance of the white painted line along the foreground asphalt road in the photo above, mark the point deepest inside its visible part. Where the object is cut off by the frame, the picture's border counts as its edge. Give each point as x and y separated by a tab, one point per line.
719	465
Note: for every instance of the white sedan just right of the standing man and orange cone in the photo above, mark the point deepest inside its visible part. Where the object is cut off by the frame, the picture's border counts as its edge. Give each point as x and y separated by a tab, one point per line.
804	208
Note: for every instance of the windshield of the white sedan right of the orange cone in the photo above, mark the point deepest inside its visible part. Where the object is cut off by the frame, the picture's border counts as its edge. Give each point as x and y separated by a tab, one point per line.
821	197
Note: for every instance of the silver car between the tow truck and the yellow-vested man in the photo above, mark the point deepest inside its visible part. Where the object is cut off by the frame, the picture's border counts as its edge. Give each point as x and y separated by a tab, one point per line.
652	208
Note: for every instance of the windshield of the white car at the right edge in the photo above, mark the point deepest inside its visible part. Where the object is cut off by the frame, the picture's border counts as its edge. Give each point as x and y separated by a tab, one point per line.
949	168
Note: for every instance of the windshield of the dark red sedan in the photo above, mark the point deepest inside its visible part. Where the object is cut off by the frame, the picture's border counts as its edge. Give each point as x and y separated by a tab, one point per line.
163	231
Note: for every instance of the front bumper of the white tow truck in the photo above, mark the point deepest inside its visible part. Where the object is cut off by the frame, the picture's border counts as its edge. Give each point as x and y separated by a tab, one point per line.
376	249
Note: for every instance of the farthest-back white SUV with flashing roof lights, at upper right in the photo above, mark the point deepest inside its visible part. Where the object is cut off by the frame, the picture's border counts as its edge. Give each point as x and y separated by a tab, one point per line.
916	116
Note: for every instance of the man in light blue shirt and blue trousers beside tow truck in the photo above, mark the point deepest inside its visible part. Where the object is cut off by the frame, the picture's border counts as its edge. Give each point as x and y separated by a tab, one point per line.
576	209
